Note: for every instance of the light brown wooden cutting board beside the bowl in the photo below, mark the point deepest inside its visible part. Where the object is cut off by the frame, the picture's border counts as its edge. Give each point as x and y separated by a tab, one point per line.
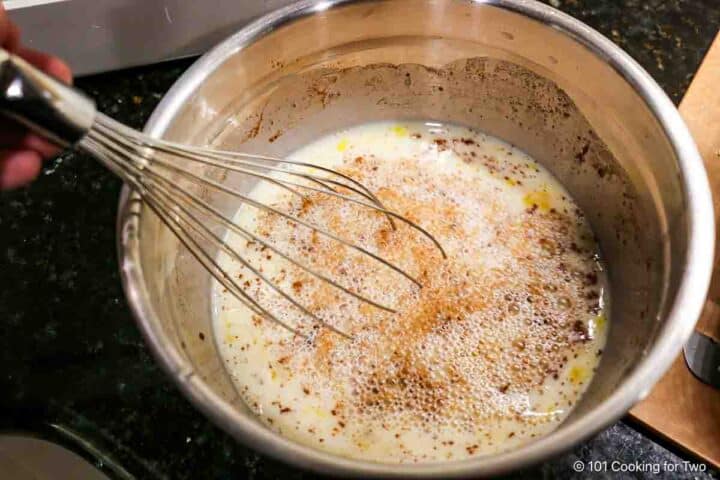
681	408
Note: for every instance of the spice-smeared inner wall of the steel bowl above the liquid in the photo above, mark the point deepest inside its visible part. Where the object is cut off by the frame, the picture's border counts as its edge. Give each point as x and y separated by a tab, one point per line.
477	65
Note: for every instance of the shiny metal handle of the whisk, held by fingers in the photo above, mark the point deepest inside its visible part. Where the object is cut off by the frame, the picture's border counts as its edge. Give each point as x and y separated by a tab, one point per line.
56	111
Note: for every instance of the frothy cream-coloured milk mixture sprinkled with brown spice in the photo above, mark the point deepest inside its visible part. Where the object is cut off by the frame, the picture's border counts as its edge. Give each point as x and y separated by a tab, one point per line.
495	348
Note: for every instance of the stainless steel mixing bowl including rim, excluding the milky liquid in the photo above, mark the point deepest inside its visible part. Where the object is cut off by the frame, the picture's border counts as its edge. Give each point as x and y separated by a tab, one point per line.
514	68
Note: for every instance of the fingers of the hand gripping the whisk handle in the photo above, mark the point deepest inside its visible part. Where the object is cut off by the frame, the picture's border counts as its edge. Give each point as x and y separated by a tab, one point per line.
21	152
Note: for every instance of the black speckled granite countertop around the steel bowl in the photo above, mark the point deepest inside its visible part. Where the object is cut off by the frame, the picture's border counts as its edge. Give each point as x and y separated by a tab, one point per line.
74	366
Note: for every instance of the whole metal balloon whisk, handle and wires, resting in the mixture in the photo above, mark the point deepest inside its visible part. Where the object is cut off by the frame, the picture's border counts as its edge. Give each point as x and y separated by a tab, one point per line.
152	166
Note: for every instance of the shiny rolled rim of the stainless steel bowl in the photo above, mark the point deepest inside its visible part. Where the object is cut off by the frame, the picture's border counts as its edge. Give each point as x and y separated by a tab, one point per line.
686	306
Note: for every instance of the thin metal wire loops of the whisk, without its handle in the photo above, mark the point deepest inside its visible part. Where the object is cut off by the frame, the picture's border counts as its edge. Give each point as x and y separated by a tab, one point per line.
151	167
